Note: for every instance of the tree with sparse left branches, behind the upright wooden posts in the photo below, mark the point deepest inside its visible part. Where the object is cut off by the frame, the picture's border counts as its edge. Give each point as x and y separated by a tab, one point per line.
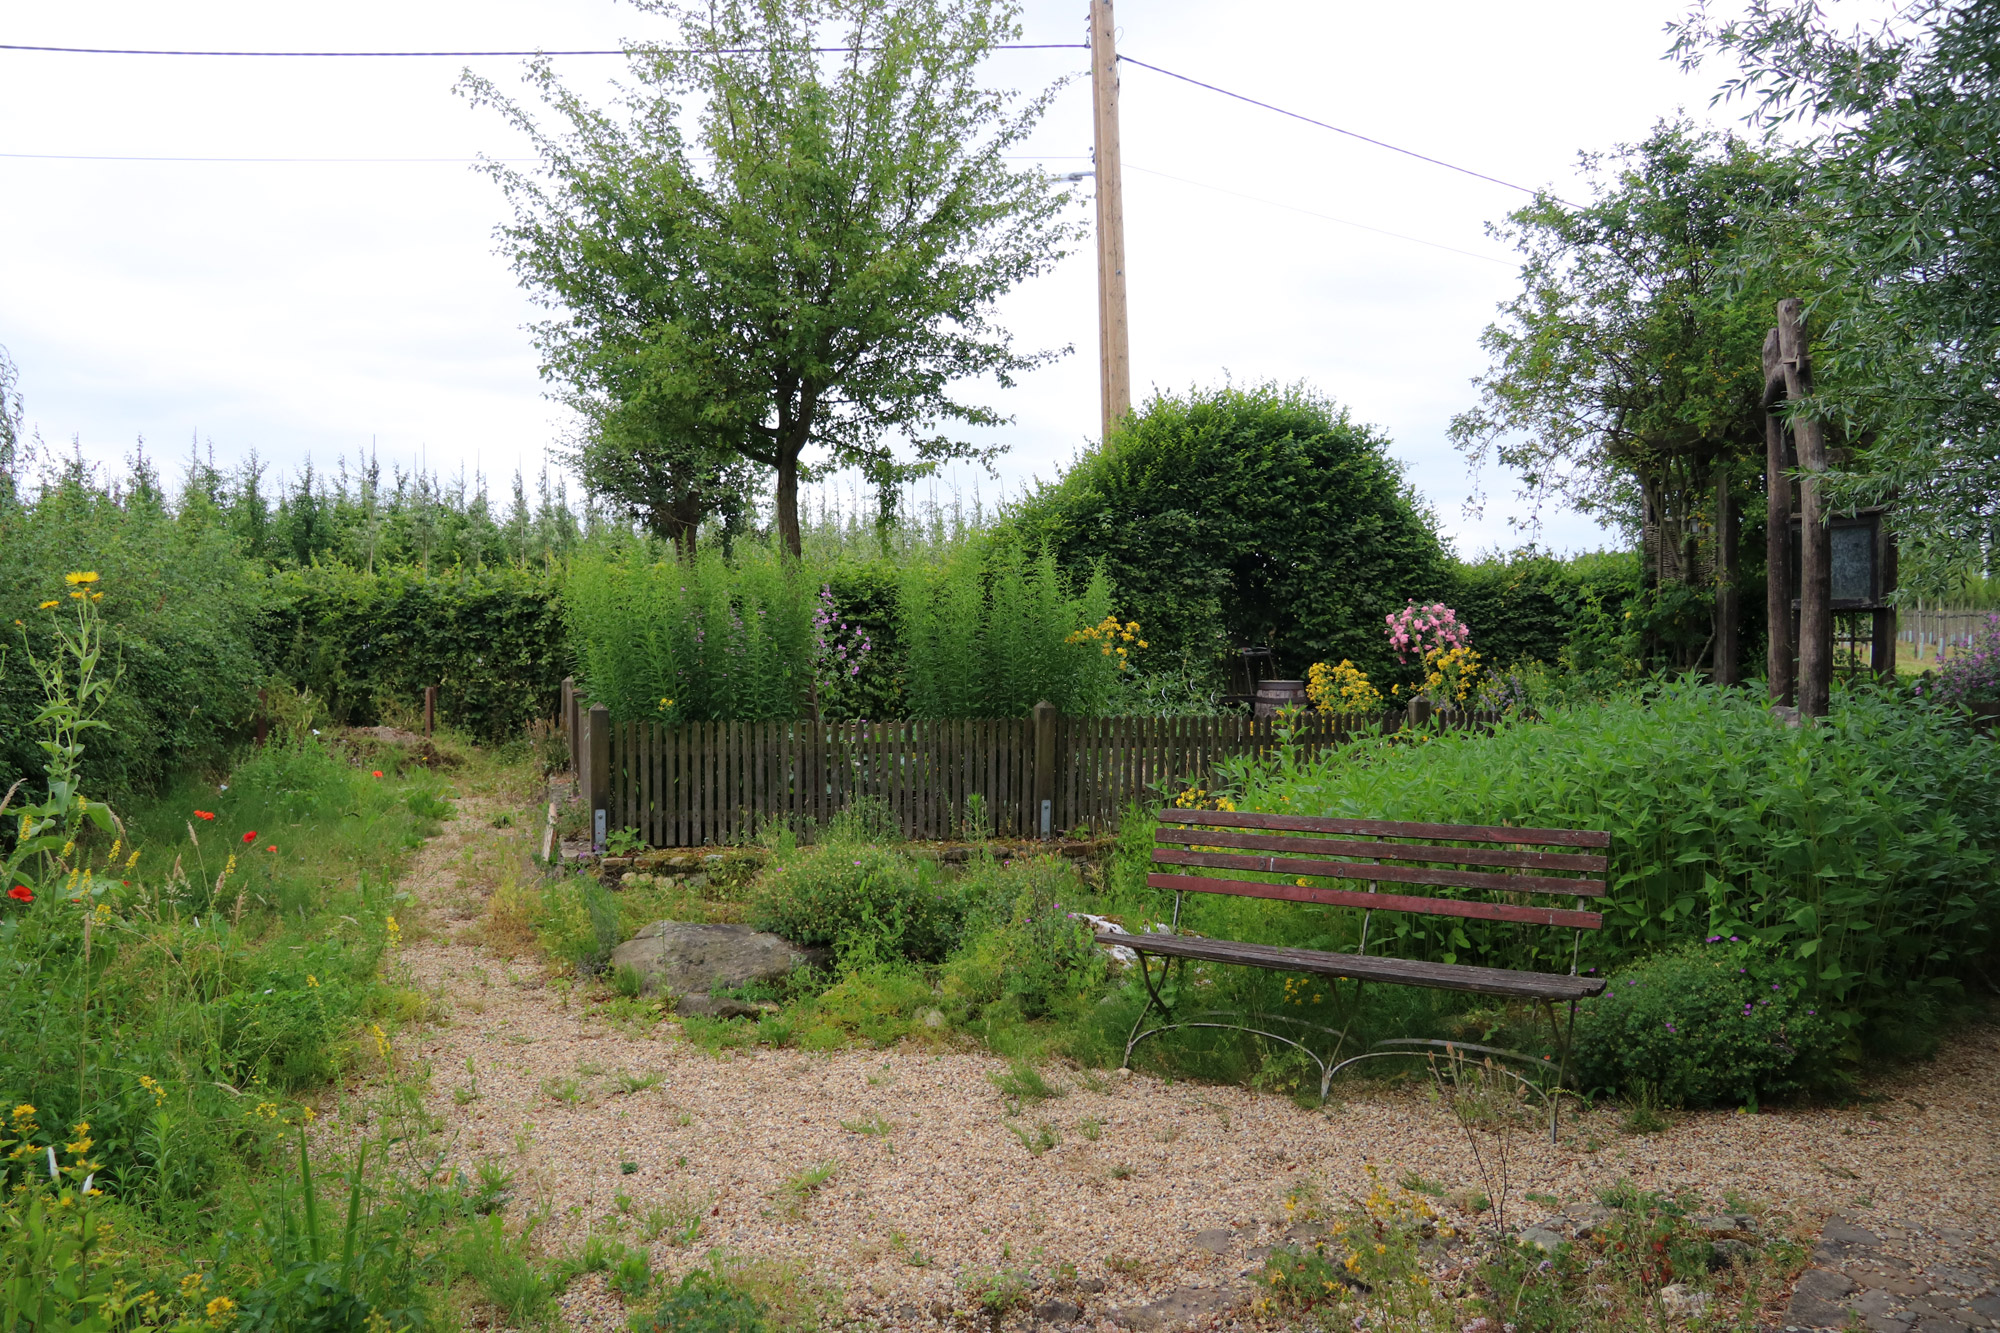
1627	375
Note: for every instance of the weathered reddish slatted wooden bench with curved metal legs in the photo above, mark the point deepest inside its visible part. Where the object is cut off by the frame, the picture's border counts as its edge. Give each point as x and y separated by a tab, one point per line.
1315	860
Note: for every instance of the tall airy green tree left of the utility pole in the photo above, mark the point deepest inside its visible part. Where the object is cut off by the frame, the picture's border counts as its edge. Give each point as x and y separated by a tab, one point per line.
801	267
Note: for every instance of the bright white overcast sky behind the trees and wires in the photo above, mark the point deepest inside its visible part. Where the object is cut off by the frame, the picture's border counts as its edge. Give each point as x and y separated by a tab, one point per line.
317	309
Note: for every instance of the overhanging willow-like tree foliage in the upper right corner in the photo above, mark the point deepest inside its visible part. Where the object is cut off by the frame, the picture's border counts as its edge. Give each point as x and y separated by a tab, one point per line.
1897	245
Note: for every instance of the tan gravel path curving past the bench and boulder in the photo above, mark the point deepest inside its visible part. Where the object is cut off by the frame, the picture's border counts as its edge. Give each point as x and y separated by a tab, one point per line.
1147	1186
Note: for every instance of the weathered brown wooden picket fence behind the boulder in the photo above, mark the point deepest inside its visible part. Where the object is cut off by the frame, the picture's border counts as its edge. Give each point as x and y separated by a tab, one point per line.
701	784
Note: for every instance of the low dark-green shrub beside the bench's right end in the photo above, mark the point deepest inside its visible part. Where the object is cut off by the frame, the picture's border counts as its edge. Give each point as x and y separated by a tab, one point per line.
1707	1026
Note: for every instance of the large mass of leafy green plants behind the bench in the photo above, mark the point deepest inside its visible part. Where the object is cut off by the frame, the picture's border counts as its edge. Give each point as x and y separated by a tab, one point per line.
1861	848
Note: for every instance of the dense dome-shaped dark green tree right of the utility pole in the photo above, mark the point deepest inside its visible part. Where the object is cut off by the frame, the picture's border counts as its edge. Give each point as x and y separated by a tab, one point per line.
1243	517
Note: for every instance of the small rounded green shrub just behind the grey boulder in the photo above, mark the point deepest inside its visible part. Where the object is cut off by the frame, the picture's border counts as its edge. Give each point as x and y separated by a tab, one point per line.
861	898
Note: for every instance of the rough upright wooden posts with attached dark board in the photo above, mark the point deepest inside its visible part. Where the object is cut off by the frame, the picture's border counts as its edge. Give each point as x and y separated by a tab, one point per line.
1817	563
